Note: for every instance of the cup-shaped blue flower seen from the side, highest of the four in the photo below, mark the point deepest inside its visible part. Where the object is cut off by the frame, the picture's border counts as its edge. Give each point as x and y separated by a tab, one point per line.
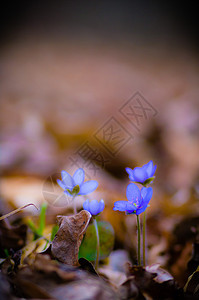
143	175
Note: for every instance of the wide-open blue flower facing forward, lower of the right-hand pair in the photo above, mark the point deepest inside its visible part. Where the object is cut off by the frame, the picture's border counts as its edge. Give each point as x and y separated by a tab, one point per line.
137	200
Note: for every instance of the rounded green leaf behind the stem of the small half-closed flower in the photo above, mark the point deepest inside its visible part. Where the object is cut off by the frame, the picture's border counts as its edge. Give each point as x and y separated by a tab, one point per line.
88	246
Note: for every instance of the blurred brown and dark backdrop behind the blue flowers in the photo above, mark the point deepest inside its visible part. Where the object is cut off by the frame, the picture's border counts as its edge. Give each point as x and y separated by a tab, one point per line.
102	85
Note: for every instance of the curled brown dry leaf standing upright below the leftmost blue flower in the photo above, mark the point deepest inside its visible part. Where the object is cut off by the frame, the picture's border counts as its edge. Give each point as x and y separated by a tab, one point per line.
65	246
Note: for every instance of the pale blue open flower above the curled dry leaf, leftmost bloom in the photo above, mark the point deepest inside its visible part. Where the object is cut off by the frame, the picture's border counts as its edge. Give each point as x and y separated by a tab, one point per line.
75	185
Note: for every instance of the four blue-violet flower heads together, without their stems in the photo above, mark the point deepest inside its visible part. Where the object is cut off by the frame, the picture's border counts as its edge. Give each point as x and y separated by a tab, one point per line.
138	200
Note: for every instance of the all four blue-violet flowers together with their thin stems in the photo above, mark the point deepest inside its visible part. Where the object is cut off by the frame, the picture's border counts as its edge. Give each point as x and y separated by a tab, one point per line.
137	199
